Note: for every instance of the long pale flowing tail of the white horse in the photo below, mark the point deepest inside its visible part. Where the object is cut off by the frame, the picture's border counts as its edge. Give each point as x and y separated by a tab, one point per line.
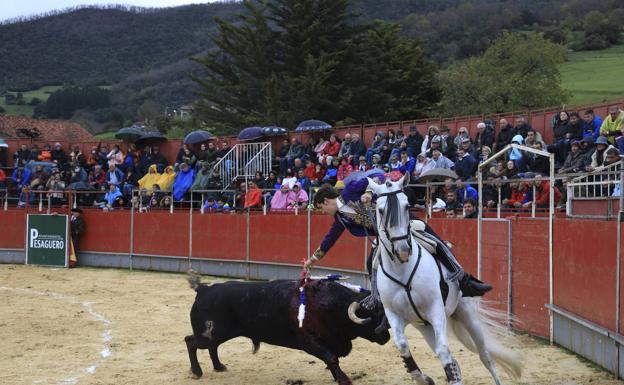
502	344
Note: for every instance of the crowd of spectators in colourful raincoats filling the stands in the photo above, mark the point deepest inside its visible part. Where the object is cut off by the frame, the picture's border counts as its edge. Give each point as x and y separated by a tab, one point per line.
111	179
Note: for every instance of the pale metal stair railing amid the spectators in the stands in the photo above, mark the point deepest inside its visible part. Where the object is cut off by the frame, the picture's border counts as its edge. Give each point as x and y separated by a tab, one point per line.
243	161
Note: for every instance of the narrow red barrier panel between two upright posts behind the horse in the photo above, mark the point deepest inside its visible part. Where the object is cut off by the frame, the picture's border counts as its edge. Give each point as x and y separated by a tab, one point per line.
530	275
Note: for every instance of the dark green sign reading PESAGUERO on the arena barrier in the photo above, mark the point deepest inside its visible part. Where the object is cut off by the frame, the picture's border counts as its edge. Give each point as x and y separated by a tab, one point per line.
46	240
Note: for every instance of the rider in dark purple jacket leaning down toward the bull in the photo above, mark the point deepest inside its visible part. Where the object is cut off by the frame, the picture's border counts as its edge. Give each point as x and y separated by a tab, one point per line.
352	210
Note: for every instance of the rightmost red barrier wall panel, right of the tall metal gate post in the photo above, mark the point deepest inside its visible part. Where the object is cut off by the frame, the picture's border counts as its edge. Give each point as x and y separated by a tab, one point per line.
584	262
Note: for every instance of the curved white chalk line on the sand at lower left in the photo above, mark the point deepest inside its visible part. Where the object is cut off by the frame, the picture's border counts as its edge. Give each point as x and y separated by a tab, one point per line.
107	335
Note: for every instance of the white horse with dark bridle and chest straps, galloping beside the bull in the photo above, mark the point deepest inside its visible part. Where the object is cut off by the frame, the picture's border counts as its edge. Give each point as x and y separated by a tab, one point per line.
408	280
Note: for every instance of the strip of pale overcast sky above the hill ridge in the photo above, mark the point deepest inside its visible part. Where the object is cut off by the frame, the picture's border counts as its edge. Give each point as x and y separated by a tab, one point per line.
15	8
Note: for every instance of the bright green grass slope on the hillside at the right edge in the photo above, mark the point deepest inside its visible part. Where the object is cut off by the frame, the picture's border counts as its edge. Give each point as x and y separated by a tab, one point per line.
594	76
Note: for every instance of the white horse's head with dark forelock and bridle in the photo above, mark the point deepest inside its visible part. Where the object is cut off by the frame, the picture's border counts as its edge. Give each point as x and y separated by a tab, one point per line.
393	217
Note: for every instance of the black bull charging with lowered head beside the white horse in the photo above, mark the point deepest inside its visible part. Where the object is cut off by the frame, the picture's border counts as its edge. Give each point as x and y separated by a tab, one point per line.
267	312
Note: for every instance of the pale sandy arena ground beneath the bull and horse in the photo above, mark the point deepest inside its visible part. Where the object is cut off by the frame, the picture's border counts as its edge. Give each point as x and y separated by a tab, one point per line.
104	326
